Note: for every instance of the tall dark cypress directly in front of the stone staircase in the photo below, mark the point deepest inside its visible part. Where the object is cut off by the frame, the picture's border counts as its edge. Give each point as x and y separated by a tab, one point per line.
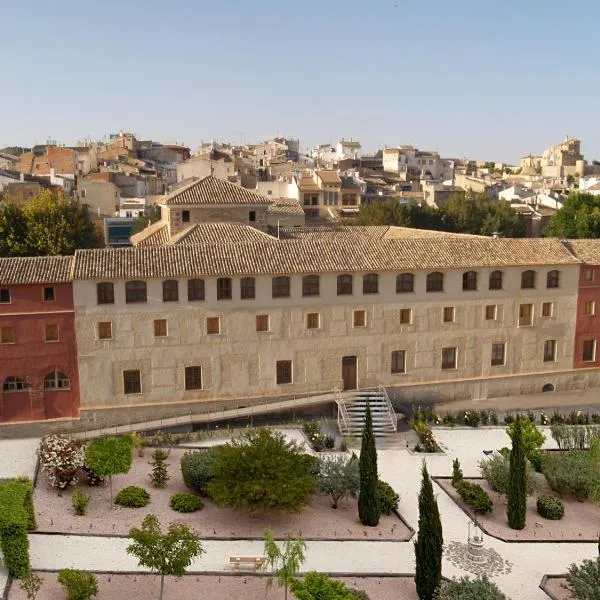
368	507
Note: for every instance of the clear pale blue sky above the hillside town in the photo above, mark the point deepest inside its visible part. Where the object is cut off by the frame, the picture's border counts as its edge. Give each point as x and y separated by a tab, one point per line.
484	80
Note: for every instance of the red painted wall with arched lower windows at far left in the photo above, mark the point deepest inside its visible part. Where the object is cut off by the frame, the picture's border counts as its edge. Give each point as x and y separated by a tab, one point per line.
32	358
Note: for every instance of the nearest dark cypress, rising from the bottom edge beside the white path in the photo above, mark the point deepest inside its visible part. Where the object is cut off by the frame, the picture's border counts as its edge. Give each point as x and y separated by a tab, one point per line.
430	542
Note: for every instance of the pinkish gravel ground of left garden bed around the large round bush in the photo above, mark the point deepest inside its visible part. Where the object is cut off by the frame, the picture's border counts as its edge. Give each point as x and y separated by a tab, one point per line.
319	521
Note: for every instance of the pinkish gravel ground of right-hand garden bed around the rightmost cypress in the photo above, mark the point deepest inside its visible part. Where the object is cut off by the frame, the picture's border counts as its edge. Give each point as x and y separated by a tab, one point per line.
580	523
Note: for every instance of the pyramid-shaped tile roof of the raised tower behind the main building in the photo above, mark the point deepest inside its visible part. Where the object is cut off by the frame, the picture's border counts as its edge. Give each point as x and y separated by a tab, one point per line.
212	190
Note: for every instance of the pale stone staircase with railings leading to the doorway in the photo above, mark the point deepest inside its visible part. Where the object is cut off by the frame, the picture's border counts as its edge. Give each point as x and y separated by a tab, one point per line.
351	412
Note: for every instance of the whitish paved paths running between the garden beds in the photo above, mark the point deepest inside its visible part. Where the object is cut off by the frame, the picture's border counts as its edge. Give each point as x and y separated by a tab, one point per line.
518	567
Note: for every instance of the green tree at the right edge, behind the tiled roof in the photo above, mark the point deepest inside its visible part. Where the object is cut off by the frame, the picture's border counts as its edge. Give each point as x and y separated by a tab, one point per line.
579	217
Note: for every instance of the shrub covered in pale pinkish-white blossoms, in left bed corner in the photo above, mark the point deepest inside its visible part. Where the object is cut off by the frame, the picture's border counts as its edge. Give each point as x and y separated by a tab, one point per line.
60	458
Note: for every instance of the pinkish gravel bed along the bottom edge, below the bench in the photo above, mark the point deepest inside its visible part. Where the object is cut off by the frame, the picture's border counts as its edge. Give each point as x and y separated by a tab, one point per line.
212	587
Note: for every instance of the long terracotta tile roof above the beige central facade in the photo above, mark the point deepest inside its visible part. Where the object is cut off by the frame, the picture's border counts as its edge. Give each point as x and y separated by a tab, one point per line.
317	256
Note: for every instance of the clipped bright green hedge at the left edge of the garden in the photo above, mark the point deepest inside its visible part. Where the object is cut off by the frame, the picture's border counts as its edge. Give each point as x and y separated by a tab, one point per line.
17	516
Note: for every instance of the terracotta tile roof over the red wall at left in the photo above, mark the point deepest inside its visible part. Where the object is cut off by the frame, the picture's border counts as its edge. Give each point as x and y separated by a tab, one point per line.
36	269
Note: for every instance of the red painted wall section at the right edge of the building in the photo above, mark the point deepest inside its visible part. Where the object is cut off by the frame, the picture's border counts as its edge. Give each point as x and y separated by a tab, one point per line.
587	327
